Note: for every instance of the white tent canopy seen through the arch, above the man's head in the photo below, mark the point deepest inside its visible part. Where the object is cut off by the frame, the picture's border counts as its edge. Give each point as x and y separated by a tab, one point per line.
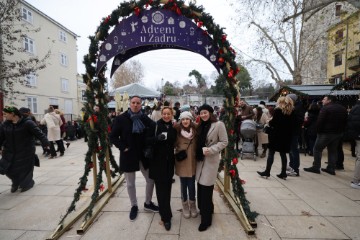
138	90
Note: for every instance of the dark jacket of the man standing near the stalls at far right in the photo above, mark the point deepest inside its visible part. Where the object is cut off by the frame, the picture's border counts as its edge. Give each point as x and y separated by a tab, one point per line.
332	119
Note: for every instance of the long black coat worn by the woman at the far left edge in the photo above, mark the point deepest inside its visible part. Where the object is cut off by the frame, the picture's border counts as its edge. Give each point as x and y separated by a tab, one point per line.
19	144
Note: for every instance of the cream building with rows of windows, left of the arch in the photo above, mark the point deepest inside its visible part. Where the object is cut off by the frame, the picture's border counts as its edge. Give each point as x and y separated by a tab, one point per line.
56	84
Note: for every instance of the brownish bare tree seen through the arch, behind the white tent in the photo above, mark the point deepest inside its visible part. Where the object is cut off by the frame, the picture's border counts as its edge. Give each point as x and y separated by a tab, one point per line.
127	73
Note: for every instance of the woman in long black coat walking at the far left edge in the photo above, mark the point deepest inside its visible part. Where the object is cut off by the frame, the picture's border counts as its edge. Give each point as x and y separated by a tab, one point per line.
18	156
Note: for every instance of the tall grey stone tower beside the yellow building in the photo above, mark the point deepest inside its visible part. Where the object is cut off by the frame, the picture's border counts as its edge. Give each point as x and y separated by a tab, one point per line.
314	39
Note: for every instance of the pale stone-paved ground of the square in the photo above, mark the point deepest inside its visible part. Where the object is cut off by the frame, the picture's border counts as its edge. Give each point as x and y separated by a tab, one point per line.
311	206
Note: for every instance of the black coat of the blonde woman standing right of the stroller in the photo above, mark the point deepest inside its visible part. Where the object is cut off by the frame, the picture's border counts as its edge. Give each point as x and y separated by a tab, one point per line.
283	126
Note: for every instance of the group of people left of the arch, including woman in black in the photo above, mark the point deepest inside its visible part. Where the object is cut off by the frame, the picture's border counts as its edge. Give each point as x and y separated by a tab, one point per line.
20	132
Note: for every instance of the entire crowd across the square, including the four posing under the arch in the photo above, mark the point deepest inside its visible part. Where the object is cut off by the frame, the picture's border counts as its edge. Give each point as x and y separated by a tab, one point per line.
187	142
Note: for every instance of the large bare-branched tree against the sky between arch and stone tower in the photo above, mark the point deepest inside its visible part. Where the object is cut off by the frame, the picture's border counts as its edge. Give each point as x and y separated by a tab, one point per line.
278	45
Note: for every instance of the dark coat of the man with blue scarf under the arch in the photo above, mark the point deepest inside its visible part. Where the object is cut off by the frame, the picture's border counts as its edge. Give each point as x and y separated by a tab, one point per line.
122	137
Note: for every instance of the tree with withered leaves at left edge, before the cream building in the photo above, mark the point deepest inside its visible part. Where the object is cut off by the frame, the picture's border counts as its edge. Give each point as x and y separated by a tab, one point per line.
15	67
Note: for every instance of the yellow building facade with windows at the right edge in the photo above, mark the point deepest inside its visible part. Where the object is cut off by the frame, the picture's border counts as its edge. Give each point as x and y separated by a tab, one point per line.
344	49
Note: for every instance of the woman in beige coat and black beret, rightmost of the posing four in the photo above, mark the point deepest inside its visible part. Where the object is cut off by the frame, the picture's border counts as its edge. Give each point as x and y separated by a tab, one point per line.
211	140
